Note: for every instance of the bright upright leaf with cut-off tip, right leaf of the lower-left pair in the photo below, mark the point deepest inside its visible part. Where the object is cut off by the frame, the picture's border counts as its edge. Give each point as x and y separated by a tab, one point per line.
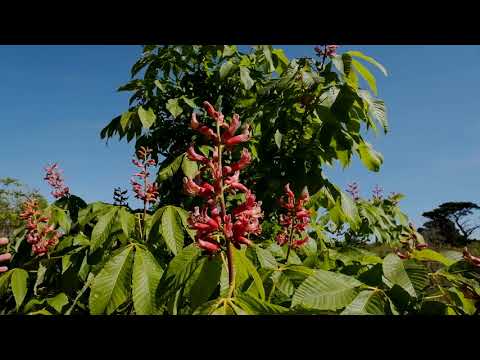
146	277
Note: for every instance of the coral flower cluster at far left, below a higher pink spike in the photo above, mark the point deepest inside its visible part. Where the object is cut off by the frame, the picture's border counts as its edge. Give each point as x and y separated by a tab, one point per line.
40	235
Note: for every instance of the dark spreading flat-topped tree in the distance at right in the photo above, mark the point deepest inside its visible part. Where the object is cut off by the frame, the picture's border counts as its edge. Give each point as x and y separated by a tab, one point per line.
450	223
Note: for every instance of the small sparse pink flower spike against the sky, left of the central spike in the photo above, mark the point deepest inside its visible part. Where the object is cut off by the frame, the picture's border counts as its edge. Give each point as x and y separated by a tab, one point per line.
147	192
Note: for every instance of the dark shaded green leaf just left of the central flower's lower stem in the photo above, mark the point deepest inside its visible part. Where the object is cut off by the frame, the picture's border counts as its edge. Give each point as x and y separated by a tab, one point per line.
206	282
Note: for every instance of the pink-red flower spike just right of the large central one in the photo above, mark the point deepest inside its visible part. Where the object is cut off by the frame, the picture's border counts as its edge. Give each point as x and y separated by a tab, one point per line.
295	220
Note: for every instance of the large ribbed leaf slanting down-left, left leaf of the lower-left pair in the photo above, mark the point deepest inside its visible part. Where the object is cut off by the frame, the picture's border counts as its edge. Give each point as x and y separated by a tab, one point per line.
111	287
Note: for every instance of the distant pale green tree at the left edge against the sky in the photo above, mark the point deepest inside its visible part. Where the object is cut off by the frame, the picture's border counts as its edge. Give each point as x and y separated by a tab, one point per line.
12	195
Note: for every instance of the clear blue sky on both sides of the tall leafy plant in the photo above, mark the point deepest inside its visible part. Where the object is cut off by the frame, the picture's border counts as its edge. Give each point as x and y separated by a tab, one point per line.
56	99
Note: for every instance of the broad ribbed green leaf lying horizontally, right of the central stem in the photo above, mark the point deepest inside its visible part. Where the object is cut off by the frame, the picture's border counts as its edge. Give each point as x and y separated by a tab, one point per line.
325	290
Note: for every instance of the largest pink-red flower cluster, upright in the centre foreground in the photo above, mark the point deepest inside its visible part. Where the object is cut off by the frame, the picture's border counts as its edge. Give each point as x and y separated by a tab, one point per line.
212	222
